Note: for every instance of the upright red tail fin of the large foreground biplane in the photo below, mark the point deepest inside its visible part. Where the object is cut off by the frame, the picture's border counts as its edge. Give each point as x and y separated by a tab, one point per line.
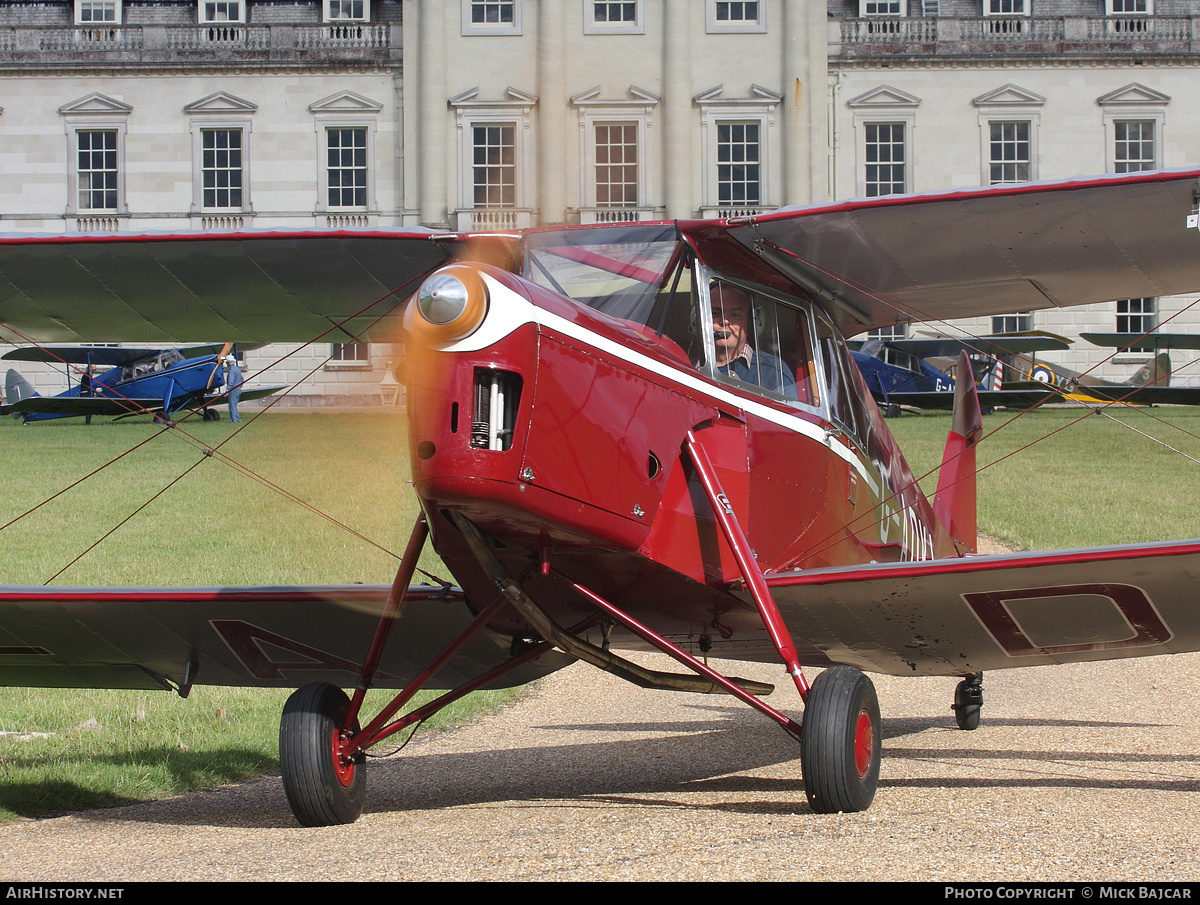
955	505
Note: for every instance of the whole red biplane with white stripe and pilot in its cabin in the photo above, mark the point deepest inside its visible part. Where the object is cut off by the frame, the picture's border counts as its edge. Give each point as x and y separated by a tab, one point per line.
647	436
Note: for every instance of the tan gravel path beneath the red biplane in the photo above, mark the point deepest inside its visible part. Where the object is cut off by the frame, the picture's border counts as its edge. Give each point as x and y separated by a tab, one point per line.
1087	772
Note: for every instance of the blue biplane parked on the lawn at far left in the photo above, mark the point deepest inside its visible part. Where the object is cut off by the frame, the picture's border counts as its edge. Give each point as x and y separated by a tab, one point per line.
137	382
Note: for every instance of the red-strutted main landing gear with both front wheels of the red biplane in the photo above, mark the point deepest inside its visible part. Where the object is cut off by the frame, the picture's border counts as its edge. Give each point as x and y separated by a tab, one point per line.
322	746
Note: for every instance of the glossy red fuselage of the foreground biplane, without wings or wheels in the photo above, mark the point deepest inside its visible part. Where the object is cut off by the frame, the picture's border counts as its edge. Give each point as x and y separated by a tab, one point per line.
559	430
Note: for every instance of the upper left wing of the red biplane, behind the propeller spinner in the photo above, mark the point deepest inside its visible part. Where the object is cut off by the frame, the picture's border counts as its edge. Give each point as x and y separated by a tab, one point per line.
269	286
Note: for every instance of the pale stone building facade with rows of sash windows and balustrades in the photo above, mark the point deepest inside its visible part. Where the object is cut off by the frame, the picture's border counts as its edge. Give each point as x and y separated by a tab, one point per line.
187	115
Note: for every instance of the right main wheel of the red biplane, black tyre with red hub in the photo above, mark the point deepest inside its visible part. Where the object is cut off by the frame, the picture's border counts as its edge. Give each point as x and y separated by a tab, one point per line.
842	742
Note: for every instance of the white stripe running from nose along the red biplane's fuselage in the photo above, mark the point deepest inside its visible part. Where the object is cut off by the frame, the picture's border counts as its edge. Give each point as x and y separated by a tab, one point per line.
518	311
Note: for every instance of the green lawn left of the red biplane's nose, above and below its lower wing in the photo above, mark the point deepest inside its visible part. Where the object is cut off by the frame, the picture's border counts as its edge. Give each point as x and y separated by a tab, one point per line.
74	748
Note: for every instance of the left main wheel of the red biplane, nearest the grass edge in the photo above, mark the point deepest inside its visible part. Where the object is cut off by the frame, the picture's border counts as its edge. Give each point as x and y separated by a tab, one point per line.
322	789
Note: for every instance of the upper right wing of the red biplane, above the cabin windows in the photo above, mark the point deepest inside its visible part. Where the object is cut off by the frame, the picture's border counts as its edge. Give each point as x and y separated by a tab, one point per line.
988	251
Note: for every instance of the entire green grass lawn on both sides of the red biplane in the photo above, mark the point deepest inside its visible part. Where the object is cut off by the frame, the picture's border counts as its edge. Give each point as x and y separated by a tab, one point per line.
1094	483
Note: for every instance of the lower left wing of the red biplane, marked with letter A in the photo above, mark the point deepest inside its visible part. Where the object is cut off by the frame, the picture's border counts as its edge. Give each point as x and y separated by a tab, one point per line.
284	638
